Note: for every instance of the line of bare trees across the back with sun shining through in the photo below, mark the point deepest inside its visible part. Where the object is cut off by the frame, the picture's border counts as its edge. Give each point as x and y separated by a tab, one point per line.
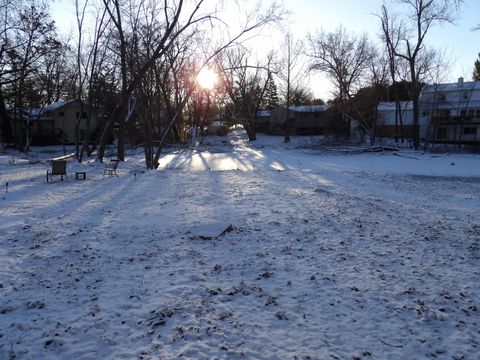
138	59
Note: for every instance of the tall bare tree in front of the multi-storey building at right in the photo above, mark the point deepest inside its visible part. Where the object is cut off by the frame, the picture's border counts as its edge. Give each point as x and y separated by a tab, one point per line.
420	16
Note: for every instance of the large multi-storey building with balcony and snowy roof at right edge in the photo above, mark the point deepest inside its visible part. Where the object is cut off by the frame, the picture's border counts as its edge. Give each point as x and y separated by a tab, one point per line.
448	113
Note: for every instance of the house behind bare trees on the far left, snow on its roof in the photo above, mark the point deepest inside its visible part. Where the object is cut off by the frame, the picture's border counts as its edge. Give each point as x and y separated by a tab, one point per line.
56	123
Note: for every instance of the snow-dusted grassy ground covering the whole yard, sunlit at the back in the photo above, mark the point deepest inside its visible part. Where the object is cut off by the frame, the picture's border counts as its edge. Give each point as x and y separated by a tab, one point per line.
333	255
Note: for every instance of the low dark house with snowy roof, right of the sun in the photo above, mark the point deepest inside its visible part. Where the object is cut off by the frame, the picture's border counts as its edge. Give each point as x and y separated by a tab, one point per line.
307	120
